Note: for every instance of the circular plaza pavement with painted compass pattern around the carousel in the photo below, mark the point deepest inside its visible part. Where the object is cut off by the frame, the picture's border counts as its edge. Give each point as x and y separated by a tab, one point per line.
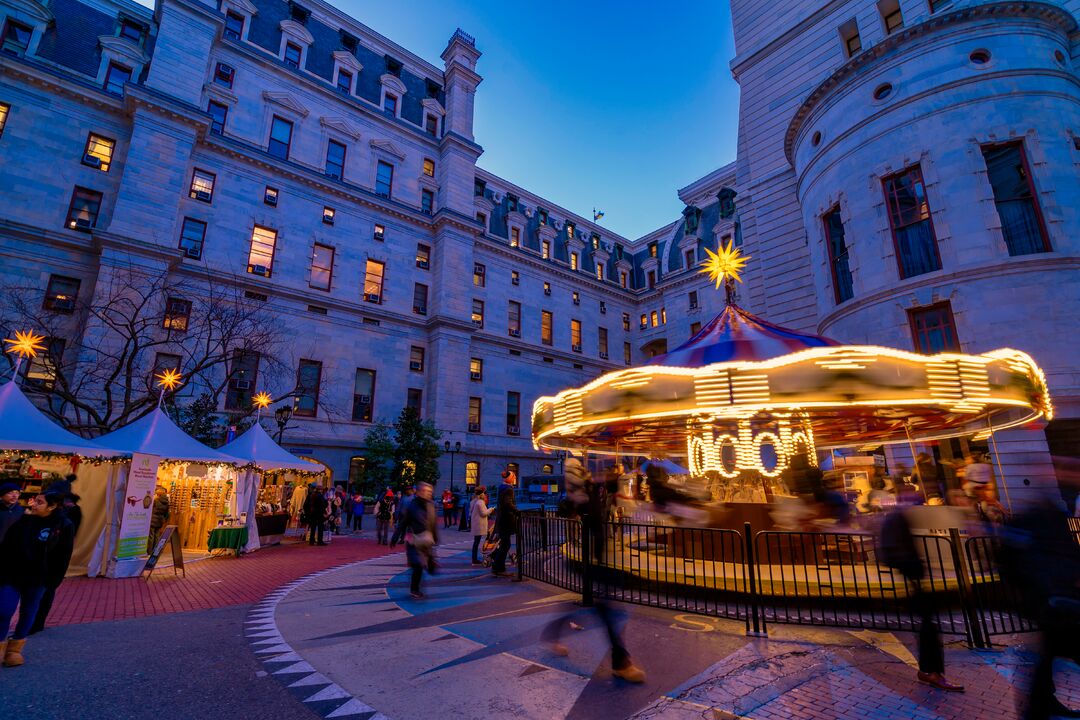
472	648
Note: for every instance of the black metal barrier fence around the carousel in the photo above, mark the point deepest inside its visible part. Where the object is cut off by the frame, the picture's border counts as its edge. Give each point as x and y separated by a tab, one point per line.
834	580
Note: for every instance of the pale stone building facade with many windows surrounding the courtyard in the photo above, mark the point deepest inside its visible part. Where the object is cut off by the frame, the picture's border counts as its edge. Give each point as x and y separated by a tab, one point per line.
906	176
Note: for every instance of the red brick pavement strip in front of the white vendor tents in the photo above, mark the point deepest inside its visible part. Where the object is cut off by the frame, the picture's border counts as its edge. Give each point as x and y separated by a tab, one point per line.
215	582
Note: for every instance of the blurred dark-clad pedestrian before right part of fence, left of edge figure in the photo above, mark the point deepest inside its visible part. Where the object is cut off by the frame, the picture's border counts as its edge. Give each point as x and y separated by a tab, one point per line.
899	552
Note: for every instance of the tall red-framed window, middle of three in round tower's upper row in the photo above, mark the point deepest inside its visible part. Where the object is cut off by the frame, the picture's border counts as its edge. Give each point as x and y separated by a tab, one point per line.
913	232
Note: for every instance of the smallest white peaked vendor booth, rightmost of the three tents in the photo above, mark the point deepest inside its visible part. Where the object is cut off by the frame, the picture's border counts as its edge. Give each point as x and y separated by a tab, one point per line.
269	477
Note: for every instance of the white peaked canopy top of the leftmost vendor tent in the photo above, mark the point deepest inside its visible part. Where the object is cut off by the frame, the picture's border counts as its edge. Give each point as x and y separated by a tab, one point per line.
25	428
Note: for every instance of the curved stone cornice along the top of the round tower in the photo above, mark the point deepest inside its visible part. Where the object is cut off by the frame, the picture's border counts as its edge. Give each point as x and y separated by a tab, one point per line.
872	57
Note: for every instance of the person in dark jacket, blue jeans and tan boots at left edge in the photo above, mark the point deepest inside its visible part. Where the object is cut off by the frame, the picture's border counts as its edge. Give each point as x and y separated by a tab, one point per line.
26	555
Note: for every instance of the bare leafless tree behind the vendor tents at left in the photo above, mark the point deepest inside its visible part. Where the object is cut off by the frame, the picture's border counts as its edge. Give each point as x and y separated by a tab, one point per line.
103	378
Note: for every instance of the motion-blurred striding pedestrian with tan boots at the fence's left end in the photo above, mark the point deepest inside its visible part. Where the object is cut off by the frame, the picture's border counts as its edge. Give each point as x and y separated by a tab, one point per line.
586	501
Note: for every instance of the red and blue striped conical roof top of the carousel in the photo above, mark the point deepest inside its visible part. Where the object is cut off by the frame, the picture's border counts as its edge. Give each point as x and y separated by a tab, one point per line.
737	336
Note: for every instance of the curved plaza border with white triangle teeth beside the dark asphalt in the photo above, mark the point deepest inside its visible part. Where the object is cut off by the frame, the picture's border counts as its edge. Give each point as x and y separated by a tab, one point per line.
315	690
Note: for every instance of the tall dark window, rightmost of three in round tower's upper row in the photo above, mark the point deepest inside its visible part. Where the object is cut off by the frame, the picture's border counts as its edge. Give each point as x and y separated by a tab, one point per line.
1010	178
